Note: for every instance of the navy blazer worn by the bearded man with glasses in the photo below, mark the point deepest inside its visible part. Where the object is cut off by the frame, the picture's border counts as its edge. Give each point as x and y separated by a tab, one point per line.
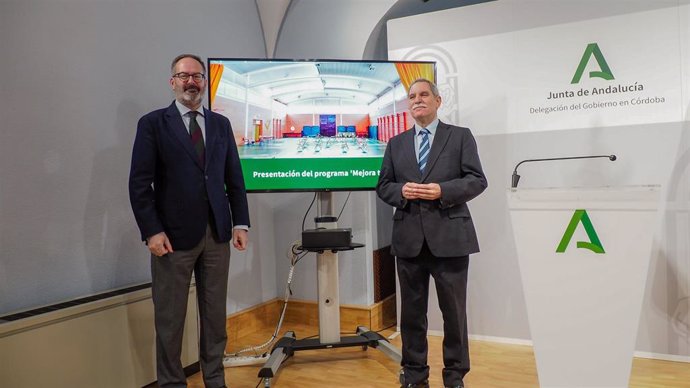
185	192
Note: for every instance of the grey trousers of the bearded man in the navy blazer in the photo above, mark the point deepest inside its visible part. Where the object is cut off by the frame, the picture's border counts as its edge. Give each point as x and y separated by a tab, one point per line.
171	275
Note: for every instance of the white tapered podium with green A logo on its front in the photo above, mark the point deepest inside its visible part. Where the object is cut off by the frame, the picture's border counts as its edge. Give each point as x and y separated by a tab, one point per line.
584	255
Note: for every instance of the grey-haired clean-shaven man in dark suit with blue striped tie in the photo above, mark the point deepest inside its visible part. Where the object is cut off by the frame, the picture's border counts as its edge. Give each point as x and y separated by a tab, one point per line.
429	173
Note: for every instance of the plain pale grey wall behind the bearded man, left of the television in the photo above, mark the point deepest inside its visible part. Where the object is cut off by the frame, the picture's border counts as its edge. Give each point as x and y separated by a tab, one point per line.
77	75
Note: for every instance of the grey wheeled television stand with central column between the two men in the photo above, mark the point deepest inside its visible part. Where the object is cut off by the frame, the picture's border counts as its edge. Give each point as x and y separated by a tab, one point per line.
329	309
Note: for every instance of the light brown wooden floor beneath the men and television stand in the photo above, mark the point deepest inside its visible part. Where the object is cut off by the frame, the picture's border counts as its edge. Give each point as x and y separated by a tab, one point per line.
493	366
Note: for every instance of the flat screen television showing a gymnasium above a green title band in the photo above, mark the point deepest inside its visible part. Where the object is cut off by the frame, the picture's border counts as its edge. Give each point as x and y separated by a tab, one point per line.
313	125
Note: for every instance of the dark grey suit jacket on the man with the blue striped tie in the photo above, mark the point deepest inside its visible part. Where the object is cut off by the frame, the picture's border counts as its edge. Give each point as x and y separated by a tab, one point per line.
446	224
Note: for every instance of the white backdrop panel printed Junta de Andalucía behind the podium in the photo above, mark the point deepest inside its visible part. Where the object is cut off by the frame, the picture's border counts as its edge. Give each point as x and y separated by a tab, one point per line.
499	59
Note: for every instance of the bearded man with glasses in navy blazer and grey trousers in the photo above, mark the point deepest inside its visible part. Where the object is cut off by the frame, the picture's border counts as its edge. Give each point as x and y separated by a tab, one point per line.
189	200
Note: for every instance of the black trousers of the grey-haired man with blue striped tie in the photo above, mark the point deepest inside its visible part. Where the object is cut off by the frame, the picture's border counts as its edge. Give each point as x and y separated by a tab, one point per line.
450	277
